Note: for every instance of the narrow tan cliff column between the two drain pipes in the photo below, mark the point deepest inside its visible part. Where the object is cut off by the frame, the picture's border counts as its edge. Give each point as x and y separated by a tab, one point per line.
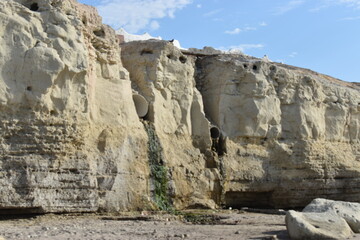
165	77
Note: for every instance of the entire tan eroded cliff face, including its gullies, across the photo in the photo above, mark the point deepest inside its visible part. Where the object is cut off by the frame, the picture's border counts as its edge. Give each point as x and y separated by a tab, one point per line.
220	130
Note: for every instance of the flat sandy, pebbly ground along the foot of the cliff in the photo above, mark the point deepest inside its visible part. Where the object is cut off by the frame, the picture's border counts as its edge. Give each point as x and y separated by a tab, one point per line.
199	225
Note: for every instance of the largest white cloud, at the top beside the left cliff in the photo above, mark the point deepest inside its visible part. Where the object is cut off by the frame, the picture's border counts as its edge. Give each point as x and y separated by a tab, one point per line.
136	15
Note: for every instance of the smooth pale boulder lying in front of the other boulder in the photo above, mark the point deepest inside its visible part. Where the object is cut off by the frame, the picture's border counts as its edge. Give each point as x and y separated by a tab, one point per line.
317	226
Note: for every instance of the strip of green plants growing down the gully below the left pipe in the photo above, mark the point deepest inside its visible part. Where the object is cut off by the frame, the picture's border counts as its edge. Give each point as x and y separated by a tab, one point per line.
158	170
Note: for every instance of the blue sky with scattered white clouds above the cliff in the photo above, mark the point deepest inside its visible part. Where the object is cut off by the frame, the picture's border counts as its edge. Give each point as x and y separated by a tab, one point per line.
322	35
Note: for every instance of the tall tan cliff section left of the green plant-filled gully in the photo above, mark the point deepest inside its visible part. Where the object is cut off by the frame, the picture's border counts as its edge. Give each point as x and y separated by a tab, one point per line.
70	136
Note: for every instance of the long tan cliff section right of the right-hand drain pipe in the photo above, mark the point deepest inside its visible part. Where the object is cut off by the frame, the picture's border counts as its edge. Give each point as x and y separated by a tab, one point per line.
293	134
